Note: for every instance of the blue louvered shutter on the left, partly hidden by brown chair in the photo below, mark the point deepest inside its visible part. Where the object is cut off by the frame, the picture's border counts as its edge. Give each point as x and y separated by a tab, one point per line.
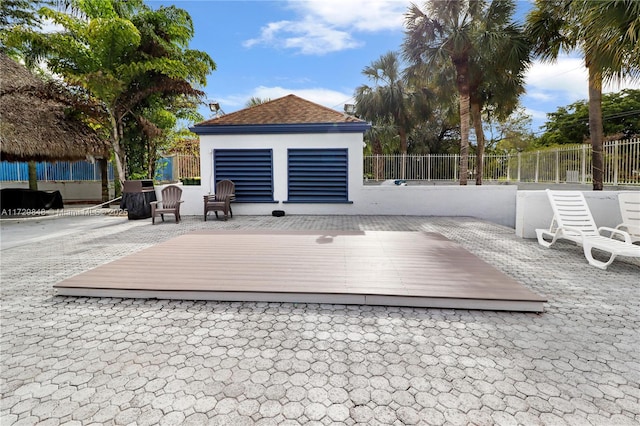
250	169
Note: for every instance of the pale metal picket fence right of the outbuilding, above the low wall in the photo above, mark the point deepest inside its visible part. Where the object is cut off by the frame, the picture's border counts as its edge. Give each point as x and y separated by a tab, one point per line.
566	164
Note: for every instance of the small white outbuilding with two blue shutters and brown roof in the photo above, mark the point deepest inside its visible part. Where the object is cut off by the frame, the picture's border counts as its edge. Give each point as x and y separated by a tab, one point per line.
288	153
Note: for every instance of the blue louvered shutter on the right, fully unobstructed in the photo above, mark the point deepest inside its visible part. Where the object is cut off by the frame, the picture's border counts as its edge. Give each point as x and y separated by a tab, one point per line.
318	175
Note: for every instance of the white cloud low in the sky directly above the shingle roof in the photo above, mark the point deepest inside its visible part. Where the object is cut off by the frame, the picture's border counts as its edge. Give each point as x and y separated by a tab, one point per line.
327	97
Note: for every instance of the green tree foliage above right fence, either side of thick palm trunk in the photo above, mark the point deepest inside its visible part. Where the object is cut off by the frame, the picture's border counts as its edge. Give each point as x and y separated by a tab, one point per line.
570	124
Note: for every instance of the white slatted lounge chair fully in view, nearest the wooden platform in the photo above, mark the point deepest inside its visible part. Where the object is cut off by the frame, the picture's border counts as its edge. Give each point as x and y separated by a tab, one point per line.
572	221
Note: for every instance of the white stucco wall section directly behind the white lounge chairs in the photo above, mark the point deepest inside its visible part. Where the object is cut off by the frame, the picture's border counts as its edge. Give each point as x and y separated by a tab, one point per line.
534	211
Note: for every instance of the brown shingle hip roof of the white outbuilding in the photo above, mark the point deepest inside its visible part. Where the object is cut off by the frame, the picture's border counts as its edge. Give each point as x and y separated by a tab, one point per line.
289	109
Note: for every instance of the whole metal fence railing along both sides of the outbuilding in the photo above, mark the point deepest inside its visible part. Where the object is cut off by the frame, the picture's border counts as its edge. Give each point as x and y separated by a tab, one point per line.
570	164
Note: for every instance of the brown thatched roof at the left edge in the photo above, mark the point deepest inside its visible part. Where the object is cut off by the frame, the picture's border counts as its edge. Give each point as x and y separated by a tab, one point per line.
35	124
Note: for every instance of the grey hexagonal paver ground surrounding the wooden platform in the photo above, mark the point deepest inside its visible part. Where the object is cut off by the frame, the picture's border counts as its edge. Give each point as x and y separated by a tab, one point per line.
146	362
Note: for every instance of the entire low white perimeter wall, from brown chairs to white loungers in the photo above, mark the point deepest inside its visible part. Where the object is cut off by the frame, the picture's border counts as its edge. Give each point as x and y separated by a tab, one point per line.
501	204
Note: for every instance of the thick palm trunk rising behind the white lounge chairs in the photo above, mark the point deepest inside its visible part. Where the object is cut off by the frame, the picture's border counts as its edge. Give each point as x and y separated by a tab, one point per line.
596	130
